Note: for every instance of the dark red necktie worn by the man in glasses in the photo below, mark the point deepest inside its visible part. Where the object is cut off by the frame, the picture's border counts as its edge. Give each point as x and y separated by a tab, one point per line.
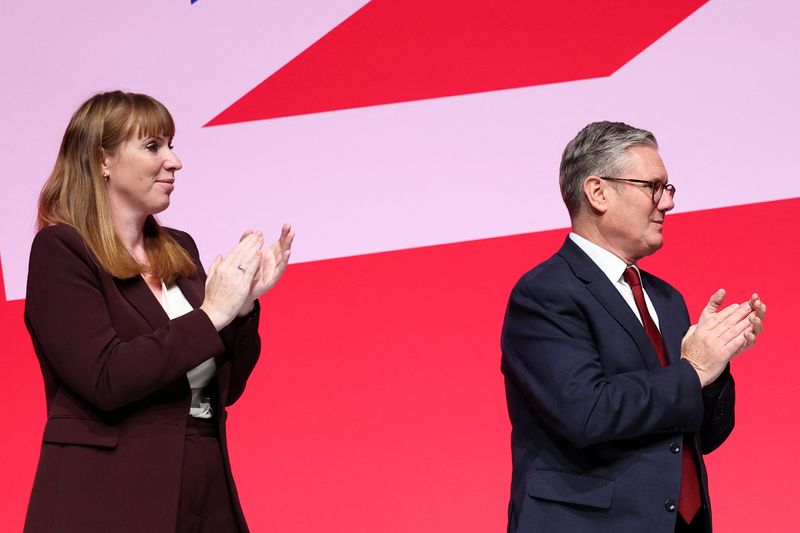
689	499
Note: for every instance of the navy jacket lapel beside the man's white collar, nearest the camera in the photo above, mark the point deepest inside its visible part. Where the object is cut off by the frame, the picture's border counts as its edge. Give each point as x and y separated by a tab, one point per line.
609	297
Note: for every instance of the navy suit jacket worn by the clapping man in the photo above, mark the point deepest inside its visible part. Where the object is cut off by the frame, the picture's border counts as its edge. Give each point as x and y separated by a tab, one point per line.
598	424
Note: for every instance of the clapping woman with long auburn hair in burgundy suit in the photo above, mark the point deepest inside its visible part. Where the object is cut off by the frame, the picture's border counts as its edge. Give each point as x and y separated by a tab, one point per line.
140	351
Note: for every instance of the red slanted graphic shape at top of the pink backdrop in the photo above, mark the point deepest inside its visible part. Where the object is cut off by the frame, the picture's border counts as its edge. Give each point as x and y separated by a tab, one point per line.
401	50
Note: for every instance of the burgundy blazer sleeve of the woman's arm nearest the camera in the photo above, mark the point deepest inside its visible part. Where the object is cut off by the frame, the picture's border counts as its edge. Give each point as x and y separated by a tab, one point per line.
67	315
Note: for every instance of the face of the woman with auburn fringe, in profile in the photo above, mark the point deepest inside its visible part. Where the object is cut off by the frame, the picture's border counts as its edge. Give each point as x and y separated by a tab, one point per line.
141	176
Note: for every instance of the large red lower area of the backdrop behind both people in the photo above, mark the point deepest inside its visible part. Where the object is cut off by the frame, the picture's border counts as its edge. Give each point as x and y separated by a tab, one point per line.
378	403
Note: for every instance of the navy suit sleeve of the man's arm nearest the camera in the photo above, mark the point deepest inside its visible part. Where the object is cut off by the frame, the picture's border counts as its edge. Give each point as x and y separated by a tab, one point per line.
550	355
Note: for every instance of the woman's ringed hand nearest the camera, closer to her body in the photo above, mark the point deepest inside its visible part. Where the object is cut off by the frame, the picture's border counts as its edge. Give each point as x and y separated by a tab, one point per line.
230	279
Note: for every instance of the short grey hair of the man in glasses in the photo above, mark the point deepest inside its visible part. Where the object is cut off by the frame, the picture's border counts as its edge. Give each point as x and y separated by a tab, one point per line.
597	150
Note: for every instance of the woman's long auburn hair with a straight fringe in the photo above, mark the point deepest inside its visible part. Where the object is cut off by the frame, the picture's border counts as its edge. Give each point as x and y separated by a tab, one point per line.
75	193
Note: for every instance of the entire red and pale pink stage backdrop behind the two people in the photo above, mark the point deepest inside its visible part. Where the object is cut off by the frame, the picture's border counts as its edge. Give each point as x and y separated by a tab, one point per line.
415	145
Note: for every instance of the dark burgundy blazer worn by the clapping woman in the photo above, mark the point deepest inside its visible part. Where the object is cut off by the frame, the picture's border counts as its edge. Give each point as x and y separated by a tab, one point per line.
114	369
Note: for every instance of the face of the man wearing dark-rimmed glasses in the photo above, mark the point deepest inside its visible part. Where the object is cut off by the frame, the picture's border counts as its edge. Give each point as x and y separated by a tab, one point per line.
633	223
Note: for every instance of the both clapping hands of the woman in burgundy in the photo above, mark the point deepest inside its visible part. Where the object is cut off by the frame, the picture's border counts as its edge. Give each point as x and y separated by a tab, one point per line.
236	281
